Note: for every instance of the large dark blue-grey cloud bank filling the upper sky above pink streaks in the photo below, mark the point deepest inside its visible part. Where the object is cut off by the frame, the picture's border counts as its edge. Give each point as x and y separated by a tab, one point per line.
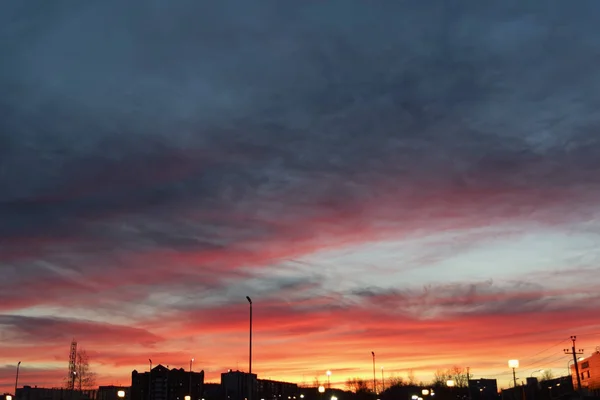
280	113
